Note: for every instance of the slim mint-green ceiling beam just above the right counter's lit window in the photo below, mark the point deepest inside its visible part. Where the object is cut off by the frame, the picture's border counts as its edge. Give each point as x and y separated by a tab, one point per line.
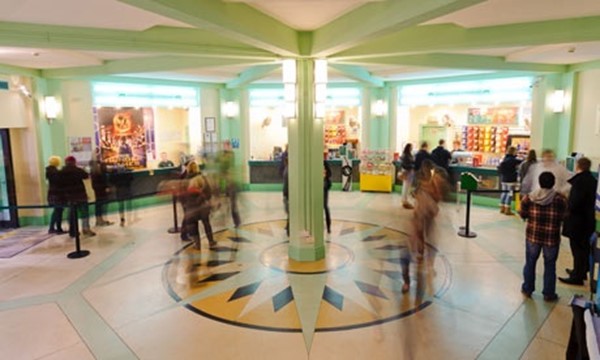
456	61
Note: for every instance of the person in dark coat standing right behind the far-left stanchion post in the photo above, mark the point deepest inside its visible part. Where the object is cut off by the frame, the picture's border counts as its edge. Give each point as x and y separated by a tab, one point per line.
71	177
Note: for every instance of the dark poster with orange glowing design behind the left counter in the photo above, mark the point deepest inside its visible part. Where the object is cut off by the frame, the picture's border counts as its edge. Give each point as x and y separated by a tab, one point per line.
122	135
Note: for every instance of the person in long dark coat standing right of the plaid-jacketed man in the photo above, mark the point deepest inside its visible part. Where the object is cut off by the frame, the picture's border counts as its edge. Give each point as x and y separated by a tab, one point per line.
580	223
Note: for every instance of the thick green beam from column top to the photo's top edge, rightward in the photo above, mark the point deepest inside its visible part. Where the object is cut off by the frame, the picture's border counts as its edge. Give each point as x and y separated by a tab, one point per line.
377	19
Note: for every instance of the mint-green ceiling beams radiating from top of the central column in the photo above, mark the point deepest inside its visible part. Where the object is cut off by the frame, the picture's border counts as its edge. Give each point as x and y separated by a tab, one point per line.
225	33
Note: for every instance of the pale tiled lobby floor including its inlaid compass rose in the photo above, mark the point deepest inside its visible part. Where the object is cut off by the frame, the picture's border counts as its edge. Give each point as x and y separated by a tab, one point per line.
115	303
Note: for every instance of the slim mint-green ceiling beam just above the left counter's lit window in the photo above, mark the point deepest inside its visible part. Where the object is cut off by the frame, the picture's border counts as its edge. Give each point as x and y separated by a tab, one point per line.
143	65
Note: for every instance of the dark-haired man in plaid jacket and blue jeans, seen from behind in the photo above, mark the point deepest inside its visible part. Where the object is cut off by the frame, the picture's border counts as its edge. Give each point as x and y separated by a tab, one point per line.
544	210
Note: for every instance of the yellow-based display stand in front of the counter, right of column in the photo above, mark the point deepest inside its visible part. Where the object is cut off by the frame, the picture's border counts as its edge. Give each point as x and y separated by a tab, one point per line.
376	171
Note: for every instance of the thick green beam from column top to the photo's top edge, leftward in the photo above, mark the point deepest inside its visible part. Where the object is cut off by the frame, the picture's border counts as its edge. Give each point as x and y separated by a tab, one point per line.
240	22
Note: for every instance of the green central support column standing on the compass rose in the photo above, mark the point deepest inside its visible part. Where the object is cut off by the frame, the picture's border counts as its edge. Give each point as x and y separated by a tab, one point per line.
305	172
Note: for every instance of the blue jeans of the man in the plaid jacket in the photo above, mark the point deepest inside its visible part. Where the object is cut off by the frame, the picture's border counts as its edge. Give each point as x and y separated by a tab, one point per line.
532	254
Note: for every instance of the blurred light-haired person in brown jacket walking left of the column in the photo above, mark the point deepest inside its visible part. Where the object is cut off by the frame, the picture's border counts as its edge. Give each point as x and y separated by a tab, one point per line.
198	207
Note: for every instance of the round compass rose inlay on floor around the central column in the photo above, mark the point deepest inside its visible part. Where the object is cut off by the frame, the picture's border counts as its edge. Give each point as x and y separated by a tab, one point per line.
249	281
